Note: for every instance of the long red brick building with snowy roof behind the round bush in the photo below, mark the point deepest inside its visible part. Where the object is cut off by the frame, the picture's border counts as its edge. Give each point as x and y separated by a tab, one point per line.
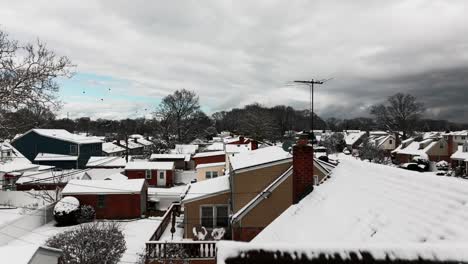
119	199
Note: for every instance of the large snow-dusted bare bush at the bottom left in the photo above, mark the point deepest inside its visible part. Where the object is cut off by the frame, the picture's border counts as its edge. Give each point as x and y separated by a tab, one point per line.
97	242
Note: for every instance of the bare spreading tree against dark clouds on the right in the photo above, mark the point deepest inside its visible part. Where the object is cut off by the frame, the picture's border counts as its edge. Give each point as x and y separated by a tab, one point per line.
399	113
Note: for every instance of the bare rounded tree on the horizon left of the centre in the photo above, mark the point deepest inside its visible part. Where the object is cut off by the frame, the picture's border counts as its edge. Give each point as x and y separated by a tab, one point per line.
176	113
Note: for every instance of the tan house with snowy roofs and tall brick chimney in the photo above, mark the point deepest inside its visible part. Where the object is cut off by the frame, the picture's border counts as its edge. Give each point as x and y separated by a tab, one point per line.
261	184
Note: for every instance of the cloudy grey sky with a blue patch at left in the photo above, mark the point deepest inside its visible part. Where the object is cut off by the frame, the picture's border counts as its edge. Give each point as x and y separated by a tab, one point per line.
129	54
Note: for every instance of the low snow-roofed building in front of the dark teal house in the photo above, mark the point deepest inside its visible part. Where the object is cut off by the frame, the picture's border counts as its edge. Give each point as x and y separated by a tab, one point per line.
47	179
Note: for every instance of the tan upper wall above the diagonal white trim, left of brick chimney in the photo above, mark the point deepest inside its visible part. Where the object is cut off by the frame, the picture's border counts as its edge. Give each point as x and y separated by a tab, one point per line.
248	184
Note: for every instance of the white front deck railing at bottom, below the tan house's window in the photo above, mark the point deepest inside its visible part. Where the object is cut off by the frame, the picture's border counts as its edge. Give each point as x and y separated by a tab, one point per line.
181	249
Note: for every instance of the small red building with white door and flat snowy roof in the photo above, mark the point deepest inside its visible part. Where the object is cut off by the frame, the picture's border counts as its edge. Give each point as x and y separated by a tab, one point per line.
160	174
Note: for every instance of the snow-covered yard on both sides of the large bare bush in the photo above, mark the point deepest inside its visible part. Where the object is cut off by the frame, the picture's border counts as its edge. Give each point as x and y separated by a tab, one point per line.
136	233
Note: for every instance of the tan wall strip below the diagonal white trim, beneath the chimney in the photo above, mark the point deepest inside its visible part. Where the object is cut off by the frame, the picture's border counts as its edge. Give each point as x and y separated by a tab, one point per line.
269	209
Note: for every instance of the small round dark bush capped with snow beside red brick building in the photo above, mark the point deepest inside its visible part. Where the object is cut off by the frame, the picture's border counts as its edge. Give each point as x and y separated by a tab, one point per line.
67	211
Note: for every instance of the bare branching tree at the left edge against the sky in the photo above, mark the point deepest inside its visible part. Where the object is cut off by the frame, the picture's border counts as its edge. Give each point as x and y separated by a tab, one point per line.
27	77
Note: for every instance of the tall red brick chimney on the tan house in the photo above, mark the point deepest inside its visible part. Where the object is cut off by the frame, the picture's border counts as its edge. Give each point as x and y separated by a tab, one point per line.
303	169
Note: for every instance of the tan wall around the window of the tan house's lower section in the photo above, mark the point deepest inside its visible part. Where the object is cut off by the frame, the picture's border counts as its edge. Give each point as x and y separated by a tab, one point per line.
192	211
